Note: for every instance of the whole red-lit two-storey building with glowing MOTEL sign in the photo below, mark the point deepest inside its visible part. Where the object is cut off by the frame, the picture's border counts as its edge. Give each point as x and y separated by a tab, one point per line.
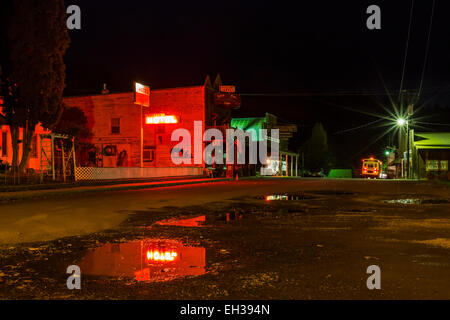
114	121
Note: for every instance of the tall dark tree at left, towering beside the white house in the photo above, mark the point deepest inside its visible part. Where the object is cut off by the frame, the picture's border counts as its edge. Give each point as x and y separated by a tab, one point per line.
34	71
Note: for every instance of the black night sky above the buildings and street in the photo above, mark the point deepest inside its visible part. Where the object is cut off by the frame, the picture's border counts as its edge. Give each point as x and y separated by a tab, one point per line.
271	47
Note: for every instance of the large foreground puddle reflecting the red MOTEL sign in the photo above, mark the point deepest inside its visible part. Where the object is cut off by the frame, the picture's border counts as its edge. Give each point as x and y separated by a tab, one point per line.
145	260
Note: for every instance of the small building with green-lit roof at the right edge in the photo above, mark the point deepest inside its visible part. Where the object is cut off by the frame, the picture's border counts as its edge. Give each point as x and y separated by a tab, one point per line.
431	155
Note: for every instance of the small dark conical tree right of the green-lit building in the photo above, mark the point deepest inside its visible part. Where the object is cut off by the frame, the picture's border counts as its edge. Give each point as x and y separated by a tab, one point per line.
316	151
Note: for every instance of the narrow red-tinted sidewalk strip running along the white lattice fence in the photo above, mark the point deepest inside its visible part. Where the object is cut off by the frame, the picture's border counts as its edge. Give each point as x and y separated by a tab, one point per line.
27	192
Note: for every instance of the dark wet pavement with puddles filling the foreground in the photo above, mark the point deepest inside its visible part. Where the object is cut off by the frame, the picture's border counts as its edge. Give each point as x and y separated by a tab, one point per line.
267	239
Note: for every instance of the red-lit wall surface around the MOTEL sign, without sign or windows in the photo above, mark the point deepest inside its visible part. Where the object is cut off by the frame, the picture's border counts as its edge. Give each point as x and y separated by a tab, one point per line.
187	104
